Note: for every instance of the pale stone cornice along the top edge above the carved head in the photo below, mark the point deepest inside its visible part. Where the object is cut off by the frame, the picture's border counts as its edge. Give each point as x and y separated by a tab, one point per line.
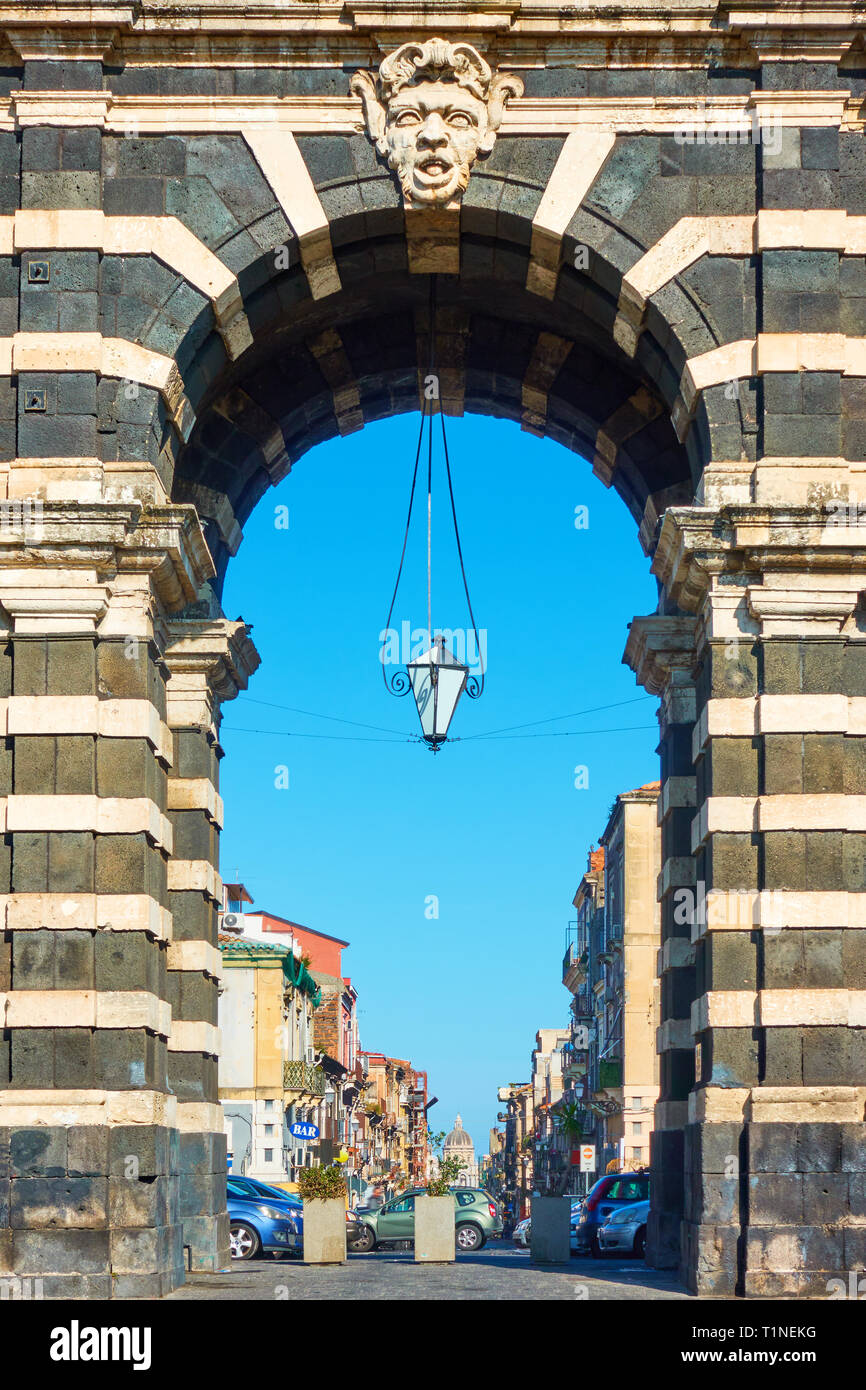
632	34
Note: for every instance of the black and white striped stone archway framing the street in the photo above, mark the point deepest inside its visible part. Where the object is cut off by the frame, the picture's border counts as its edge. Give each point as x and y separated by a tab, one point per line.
211	269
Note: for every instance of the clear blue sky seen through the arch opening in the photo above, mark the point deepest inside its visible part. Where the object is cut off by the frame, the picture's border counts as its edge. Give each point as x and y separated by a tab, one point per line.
372	828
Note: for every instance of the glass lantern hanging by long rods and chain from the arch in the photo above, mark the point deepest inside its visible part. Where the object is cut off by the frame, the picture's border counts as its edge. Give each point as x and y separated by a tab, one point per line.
436	679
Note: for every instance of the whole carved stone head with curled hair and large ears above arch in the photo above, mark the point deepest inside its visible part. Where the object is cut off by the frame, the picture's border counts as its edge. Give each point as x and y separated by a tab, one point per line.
433	112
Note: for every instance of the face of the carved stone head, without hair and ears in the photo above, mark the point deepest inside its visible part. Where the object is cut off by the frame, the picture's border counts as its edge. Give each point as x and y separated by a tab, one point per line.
434	131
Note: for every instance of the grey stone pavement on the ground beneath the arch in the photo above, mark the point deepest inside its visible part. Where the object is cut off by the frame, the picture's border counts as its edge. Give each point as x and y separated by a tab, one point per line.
498	1273
